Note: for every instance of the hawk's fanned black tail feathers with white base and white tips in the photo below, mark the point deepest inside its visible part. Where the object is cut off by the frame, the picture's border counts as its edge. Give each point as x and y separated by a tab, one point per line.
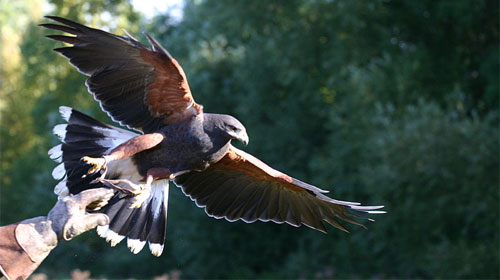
85	136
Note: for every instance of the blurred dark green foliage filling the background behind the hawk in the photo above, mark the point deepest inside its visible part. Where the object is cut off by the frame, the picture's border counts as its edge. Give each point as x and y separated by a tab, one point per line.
382	102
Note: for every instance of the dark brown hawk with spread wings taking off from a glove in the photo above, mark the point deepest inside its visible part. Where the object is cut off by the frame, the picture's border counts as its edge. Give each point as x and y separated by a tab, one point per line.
146	90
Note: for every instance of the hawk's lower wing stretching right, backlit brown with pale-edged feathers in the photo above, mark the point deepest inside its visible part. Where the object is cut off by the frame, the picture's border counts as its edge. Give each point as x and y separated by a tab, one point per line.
241	186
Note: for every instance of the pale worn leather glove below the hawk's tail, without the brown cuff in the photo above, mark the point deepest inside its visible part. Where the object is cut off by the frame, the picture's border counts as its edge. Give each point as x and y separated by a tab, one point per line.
68	218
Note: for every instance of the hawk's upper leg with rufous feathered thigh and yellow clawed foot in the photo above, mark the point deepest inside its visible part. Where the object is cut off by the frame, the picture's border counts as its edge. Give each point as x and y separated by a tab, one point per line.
124	150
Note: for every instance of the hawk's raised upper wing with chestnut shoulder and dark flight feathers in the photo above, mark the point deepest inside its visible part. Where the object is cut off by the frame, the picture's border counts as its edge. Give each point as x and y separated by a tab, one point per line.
138	87
